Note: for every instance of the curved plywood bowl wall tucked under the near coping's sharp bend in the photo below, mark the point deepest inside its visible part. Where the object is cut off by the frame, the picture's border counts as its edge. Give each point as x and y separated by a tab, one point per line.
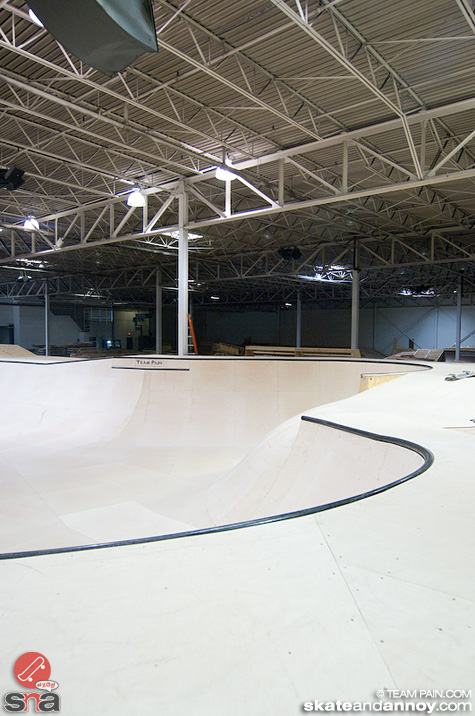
321	465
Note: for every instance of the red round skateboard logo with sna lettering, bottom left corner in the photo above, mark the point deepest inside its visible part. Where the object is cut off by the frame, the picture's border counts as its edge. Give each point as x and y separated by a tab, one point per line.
32	671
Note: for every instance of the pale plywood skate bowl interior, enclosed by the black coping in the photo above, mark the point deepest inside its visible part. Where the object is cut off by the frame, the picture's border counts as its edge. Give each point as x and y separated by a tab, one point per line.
112	450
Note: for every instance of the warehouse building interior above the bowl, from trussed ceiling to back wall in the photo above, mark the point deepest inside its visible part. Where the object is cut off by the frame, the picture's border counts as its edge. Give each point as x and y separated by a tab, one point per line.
349	133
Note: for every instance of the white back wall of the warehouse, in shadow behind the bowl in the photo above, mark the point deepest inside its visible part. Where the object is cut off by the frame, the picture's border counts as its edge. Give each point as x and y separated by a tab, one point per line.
380	328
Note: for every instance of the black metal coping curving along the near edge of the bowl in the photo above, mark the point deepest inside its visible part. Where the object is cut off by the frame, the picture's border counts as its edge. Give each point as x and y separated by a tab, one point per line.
426	455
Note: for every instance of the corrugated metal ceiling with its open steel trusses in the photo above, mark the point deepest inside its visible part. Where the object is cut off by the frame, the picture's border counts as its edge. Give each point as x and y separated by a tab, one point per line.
246	80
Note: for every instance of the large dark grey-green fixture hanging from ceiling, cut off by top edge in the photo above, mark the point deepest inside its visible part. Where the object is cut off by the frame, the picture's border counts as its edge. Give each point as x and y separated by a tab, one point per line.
106	34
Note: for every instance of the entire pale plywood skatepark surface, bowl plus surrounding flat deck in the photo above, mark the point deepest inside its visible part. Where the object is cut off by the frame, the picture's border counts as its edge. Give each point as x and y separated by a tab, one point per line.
375	593
